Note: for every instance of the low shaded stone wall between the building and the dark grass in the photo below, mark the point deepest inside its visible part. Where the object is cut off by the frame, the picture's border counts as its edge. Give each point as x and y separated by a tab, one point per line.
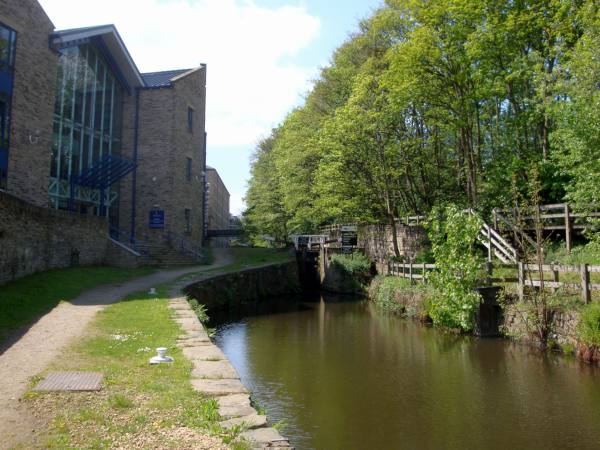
35	239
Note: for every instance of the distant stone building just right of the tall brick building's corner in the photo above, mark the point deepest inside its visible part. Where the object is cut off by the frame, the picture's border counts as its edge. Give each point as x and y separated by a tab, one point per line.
218	206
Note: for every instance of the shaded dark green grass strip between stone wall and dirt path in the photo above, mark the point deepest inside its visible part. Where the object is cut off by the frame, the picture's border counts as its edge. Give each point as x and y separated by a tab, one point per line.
24	300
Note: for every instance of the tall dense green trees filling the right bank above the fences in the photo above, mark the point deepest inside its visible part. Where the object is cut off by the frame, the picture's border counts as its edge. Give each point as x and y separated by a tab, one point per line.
433	103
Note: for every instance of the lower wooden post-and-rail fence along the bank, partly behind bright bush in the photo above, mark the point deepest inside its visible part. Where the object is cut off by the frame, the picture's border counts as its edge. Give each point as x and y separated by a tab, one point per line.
418	271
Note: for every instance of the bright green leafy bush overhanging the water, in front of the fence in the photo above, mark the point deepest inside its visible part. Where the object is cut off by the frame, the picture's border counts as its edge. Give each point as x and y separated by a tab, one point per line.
453	233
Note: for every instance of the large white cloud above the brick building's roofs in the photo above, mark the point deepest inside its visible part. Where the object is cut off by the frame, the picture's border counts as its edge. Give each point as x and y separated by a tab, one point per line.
249	87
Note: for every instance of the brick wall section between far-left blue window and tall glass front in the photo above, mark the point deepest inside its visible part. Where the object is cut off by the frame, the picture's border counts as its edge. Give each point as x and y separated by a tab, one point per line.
32	102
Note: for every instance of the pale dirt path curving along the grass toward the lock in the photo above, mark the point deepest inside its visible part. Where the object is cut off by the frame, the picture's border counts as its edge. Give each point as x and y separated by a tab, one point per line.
49	335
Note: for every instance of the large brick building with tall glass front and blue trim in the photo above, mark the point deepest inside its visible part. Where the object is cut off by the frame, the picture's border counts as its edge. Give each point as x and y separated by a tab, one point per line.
83	131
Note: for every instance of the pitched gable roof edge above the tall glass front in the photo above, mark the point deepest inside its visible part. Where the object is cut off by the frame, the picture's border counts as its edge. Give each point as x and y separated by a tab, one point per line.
111	40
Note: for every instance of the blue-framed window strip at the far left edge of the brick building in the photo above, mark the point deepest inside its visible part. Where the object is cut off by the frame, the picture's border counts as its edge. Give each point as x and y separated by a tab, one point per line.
8	39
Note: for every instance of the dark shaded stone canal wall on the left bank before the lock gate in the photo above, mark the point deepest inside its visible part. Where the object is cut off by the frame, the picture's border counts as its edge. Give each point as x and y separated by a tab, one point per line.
231	291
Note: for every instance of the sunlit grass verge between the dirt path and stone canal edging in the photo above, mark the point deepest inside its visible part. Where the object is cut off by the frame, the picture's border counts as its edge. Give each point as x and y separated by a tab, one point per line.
140	406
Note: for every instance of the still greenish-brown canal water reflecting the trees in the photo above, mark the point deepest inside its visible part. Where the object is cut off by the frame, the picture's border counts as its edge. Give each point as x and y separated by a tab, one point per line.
345	375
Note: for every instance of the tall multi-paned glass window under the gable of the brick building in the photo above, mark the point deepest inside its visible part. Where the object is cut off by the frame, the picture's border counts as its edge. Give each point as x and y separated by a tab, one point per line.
87	122
